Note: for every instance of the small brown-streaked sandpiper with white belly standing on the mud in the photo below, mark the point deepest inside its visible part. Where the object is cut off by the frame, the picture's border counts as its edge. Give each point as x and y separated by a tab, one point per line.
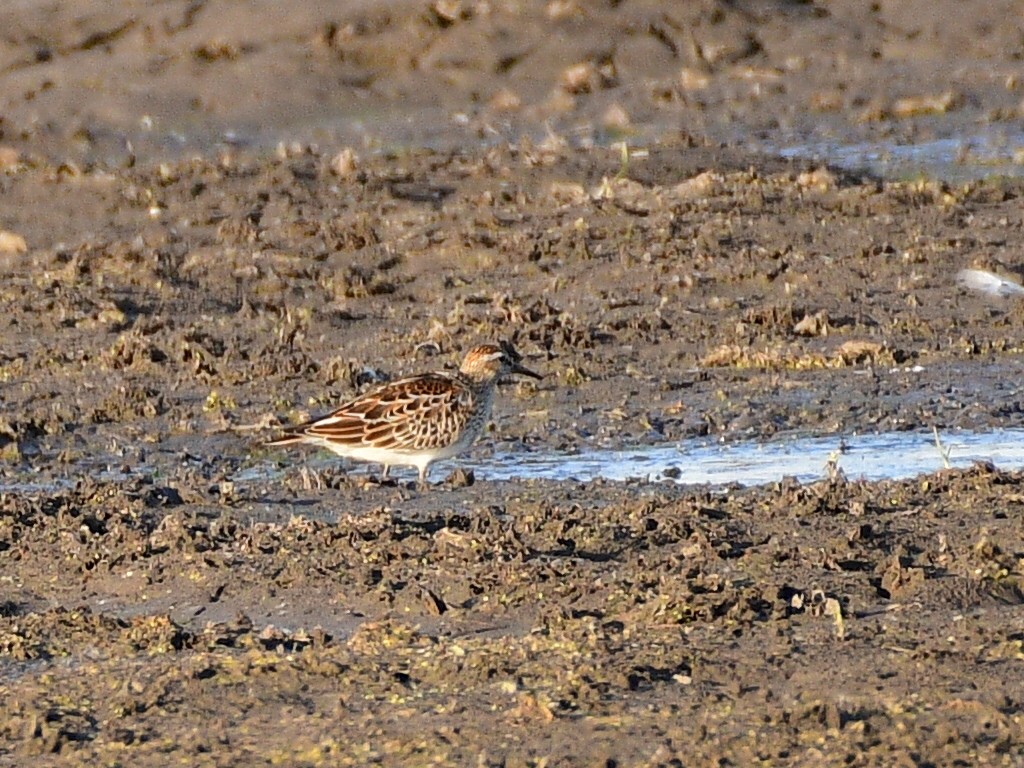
417	420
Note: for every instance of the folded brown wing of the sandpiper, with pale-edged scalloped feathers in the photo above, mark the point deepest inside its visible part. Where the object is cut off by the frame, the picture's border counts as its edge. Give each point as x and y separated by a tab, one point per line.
414	414
